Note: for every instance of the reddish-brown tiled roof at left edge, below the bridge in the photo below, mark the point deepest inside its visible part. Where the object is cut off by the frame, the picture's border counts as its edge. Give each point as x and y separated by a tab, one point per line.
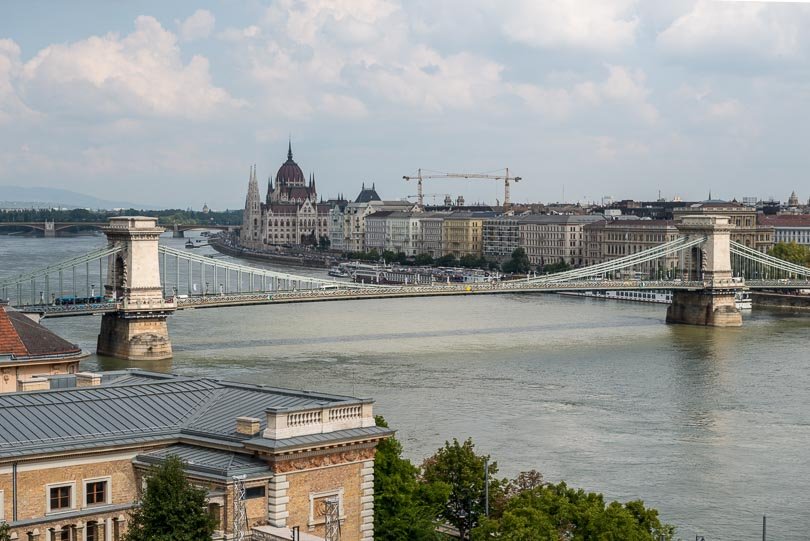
21	338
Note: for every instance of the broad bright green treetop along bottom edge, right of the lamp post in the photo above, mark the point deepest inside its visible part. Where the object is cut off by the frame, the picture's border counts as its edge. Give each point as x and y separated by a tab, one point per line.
553	512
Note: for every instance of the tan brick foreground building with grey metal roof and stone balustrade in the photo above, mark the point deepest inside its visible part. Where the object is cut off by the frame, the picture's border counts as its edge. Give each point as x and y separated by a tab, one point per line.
73	458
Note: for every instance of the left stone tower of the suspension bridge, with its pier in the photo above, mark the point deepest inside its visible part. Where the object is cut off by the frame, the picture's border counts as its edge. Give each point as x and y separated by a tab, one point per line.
137	330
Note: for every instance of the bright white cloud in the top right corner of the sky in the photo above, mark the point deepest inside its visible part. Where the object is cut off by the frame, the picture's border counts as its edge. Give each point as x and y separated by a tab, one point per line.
745	29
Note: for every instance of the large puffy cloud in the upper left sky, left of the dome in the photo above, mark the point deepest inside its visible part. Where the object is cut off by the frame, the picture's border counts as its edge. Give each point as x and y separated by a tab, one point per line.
141	73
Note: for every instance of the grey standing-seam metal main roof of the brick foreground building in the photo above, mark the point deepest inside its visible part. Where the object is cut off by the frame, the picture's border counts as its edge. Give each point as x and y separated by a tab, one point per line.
152	407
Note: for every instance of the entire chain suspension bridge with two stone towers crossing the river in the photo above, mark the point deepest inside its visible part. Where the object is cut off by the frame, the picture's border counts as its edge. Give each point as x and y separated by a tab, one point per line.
135	283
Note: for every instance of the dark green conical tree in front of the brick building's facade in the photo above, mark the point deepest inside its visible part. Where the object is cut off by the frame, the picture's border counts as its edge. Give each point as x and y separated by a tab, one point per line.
171	508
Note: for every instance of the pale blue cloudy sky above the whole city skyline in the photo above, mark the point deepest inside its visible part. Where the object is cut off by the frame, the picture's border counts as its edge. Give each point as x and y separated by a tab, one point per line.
170	103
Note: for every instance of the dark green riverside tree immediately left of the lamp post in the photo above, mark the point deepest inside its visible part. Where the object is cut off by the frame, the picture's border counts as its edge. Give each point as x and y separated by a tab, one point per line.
458	467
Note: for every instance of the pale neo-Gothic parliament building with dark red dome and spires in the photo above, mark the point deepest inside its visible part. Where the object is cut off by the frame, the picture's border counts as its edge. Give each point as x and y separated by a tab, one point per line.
290	213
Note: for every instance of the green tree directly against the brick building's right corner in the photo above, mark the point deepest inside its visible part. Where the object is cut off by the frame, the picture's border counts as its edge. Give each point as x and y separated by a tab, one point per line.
401	510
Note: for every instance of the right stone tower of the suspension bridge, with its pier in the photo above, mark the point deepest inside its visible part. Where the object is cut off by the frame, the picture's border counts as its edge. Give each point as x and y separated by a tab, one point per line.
710	262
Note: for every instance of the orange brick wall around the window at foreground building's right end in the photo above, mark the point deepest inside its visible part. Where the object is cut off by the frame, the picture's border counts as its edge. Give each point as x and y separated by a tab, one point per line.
303	484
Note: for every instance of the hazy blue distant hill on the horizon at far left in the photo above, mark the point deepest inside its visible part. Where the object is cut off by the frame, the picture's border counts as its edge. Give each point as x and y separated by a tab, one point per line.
40	197
